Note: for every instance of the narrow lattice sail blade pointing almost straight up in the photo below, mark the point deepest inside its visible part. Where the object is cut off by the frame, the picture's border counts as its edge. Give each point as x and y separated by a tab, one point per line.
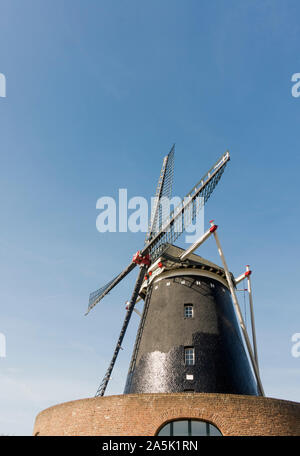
163	190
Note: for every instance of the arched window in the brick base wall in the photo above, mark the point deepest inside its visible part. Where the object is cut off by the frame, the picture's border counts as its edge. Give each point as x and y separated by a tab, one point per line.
189	428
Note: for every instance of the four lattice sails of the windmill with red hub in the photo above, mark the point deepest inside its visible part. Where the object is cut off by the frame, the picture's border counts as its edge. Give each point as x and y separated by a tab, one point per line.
163	231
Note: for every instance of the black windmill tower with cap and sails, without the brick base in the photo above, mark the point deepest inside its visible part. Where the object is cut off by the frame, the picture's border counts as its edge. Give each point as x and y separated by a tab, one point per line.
191	336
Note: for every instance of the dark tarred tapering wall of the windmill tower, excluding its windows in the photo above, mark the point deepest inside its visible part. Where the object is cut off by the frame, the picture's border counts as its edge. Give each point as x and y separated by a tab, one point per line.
221	364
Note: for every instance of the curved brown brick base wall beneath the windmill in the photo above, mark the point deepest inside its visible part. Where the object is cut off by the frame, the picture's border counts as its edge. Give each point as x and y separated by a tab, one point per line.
144	414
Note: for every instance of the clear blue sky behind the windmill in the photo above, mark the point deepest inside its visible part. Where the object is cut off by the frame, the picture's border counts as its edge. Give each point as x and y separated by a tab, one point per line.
96	94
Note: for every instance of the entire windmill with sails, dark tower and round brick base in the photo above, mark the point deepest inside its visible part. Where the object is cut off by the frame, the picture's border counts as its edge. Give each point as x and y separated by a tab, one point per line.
194	370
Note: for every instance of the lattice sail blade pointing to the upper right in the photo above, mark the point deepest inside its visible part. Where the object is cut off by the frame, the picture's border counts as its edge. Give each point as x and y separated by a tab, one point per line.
186	212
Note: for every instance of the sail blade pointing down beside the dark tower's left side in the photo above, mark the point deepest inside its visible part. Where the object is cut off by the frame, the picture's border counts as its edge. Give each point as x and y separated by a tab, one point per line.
103	385
